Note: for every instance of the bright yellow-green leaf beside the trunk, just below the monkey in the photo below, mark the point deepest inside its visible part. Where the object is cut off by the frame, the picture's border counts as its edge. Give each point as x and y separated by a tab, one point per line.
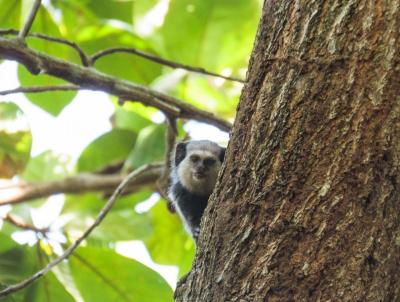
168	232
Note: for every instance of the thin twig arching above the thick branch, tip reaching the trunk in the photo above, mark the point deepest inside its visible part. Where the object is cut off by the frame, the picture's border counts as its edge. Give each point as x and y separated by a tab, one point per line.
159	60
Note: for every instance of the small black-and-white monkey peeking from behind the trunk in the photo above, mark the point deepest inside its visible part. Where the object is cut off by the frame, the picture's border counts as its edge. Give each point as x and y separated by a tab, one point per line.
194	171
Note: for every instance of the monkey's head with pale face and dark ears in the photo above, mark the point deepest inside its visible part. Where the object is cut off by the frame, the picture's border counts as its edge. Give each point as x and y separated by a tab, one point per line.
197	165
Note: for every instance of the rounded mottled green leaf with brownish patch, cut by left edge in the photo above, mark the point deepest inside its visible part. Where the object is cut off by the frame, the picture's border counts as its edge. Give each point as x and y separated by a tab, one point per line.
15	140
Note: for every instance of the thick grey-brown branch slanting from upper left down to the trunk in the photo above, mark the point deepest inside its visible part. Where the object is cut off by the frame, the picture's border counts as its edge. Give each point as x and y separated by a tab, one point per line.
89	78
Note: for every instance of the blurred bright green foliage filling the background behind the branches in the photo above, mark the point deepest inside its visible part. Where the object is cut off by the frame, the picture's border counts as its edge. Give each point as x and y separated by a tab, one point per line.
217	35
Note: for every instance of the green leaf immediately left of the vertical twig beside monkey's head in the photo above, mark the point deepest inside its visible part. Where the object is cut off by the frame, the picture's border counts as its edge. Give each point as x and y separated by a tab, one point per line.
149	147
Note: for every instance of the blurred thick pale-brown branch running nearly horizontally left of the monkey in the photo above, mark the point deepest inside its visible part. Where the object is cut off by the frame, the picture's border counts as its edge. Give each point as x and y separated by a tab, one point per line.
25	191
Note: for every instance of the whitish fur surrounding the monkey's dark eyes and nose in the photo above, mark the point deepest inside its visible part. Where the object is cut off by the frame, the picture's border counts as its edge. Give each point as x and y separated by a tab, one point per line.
186	172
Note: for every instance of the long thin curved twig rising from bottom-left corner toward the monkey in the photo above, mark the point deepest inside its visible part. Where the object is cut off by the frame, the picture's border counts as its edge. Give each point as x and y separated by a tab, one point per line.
107	207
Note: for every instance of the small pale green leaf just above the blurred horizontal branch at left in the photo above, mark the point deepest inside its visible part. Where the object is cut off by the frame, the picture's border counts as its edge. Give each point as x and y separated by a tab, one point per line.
44	167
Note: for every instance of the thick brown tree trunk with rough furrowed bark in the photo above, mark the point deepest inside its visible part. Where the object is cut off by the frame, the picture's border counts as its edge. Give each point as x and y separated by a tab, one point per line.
307	205
